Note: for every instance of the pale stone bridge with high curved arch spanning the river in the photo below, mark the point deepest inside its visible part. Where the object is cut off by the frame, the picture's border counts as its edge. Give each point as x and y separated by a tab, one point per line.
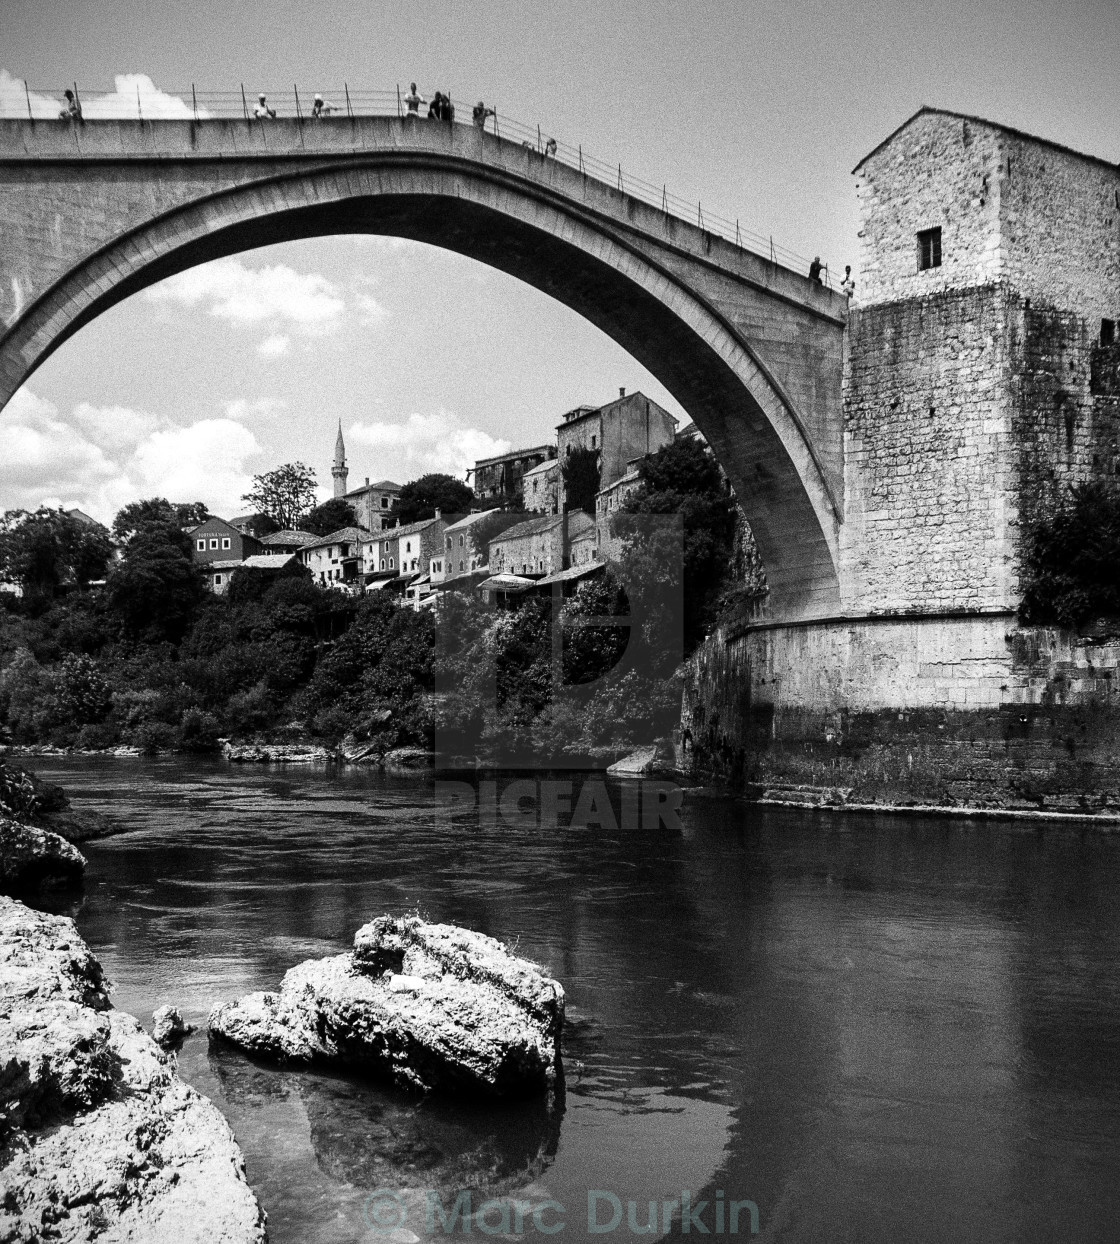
754	351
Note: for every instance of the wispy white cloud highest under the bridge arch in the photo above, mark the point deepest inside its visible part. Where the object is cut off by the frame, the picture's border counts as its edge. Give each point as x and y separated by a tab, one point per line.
273	295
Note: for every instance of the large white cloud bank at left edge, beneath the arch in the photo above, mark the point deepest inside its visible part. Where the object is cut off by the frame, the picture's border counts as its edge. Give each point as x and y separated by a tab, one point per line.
100	458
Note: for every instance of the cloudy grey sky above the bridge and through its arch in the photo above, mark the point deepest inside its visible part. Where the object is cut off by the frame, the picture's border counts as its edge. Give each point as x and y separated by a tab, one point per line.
758	109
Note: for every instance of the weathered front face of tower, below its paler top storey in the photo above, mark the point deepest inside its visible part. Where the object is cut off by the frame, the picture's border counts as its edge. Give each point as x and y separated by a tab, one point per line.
930	478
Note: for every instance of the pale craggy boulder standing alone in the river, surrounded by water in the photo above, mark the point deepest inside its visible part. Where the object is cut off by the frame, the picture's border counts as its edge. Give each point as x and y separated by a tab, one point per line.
427	1006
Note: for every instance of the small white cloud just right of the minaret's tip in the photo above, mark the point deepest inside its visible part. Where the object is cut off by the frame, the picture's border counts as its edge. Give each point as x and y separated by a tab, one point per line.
422	443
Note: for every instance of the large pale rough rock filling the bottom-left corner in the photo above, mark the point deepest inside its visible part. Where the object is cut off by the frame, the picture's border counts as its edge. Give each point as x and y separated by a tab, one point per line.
99	1136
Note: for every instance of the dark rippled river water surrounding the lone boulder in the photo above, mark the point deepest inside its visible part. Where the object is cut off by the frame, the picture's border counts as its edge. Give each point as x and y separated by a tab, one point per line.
875	1029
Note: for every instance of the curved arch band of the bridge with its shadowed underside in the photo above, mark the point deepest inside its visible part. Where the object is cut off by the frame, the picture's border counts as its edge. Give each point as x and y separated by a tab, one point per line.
539	234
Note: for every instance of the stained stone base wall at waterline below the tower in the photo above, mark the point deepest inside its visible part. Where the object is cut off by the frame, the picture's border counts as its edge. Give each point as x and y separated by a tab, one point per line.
958	711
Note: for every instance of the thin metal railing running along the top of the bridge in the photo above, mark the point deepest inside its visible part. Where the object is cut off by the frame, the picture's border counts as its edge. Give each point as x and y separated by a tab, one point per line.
349	103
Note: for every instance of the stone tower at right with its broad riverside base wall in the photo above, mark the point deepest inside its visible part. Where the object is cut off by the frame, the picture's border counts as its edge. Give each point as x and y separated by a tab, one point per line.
978	392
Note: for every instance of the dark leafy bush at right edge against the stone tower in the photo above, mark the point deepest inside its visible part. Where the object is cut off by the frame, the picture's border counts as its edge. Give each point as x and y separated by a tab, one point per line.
1072	559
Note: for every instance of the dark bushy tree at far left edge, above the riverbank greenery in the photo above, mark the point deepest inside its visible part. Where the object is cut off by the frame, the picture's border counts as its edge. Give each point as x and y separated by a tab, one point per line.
44	550
